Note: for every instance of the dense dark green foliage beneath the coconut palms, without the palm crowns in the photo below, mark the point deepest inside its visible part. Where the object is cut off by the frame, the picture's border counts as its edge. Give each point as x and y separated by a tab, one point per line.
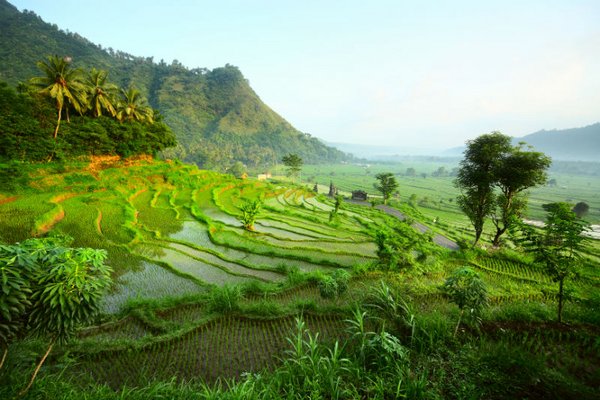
25	116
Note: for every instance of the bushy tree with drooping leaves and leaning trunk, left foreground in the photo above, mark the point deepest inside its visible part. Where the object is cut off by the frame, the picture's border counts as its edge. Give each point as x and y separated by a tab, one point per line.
63	287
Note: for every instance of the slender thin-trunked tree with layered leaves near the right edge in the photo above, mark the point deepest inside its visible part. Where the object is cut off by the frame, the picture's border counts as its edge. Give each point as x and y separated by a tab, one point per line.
557	246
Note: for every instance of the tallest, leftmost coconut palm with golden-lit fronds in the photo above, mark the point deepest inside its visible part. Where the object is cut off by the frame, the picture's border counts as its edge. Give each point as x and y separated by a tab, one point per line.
61	83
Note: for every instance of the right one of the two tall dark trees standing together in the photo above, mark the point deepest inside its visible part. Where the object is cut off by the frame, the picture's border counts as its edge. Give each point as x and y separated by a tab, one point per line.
517	171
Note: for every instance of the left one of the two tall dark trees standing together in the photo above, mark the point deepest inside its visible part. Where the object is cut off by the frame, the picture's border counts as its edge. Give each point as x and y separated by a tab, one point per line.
476	177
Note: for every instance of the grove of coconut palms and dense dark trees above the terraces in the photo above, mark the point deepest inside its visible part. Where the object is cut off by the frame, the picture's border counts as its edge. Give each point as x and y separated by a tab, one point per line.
25	118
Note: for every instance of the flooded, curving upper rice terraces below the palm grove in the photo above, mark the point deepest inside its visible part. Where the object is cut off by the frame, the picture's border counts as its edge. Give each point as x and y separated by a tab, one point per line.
173	231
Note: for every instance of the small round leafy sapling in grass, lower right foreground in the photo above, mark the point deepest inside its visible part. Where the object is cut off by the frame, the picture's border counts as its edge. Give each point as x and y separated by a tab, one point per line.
466	289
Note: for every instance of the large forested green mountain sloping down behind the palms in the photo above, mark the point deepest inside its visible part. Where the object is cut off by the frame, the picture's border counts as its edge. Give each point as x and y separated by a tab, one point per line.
217	117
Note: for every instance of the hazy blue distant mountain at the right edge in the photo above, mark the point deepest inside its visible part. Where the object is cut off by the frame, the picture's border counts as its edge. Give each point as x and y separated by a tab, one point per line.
575	144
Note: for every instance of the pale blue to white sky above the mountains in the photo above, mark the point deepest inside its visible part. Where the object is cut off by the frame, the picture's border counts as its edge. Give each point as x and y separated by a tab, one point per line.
404	74
